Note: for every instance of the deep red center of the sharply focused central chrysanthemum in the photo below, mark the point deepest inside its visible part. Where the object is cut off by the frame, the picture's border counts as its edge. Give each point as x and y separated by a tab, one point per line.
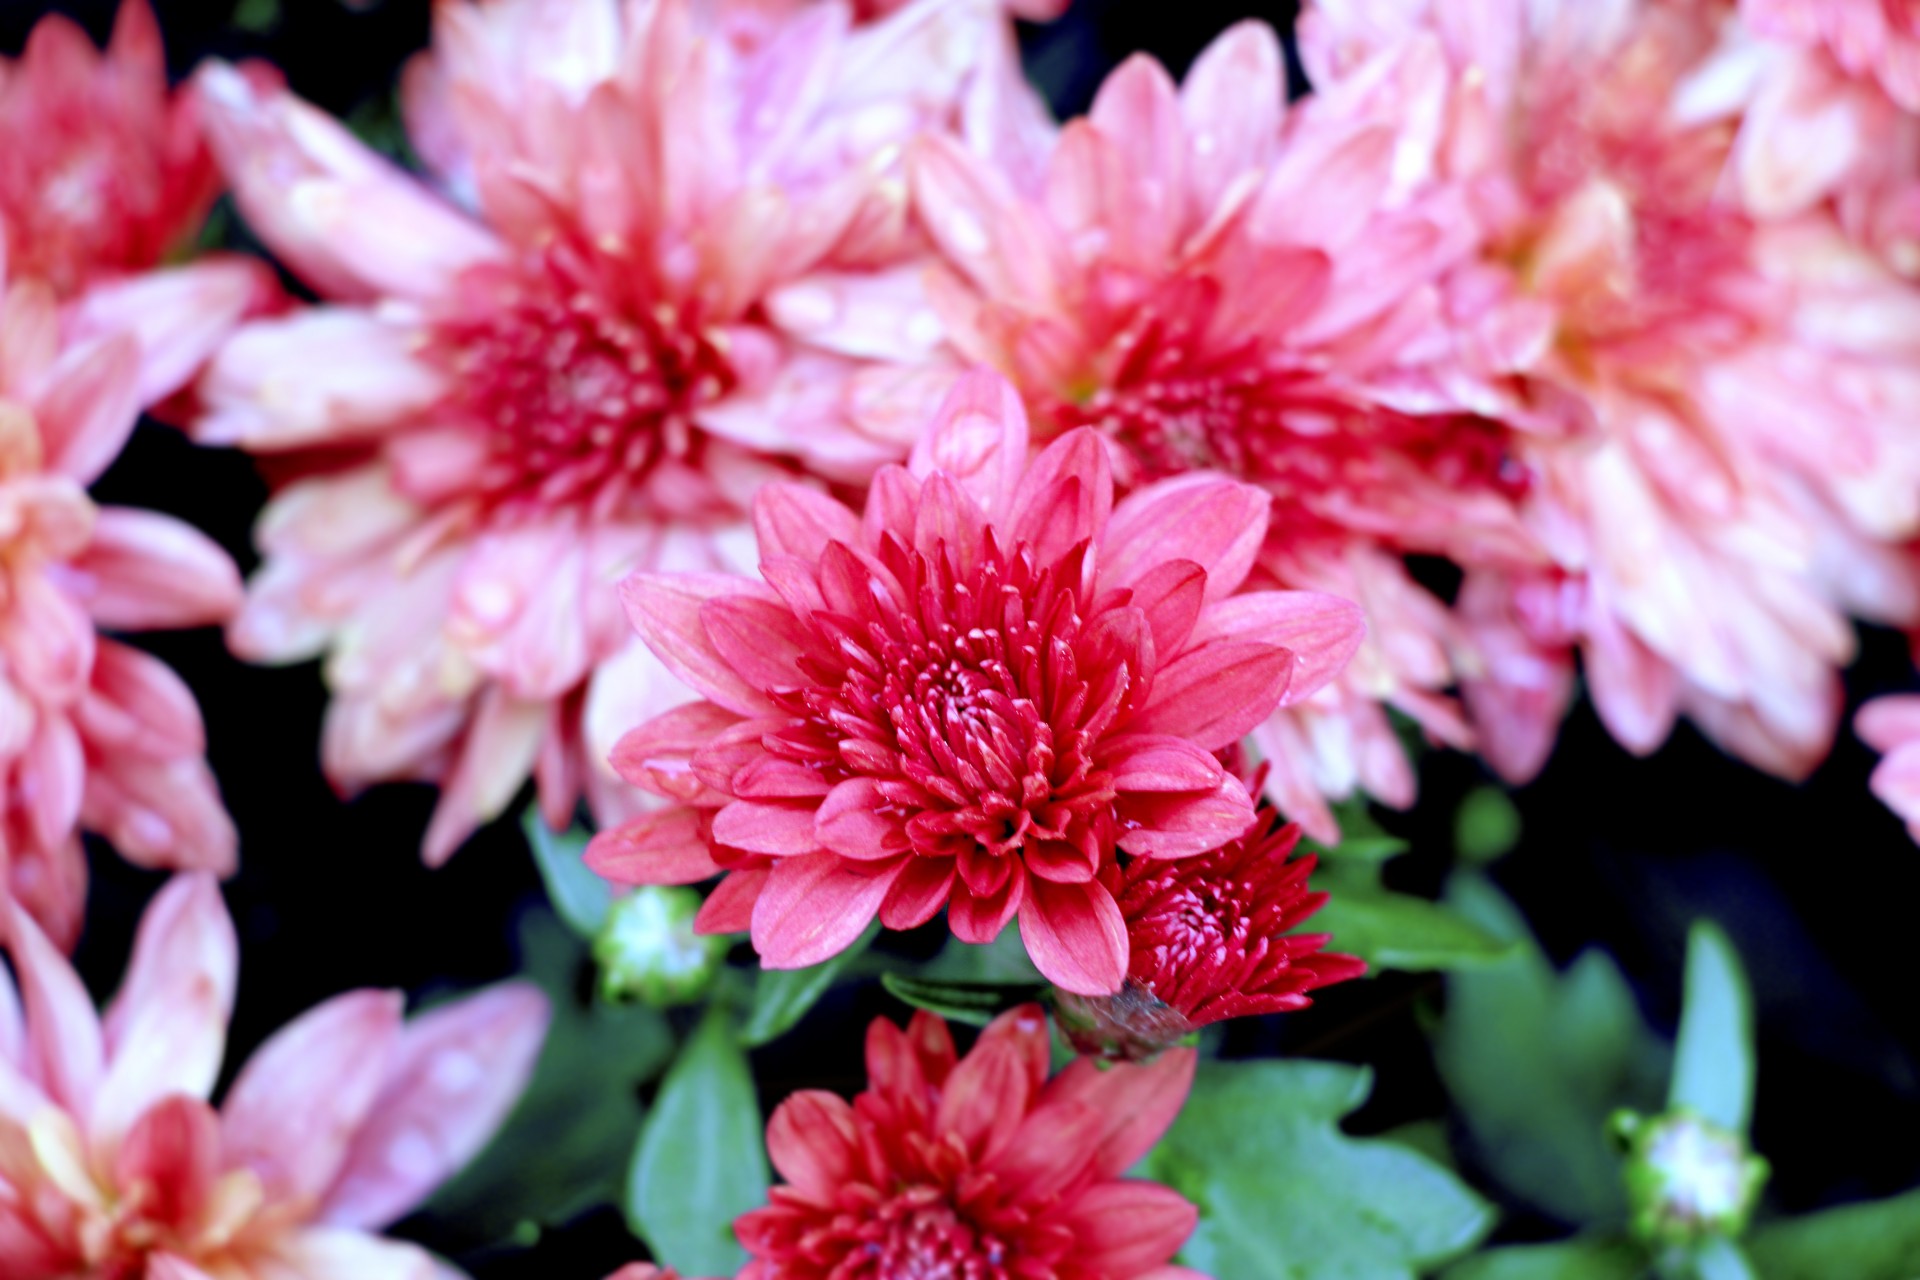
976	698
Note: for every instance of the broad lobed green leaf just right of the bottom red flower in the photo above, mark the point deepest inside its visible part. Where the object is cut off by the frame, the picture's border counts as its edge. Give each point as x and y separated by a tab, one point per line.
1287	1197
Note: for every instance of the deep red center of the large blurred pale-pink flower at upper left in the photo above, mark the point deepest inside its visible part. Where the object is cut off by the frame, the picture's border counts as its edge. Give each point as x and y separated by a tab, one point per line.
579	394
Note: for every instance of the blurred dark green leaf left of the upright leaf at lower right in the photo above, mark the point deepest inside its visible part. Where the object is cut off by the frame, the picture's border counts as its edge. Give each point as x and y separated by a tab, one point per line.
1537	1062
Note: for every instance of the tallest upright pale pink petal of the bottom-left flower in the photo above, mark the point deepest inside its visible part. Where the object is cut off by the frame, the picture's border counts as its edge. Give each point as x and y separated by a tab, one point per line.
166	1031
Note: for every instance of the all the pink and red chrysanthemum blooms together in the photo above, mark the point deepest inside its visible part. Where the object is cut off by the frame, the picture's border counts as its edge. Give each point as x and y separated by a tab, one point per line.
765	427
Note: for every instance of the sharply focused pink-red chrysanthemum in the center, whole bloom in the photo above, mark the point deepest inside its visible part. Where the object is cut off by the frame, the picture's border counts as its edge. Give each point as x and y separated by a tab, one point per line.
974	698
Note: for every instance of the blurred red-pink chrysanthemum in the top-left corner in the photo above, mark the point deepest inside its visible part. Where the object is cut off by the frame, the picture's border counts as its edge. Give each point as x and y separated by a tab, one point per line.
103	172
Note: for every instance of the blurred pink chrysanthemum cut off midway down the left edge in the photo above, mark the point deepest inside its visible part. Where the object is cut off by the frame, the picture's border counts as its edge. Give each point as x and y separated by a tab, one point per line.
95	734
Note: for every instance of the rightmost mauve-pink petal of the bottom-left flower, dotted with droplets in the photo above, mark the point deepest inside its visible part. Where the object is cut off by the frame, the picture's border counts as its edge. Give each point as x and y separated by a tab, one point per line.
454	1078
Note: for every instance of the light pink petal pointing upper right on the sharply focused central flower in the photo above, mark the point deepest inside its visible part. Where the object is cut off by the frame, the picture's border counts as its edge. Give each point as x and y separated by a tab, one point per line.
1214	523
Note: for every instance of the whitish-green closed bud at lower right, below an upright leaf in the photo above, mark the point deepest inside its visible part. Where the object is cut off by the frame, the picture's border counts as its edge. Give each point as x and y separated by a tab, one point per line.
1687	1179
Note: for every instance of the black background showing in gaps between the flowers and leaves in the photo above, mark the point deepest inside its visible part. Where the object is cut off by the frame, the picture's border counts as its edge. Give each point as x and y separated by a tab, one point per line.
1817	884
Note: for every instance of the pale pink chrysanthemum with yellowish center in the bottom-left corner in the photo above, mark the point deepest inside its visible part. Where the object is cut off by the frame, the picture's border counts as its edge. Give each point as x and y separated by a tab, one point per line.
112	1164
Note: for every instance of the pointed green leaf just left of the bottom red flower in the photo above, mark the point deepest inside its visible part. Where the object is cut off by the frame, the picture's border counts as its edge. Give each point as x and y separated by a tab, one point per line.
702	1158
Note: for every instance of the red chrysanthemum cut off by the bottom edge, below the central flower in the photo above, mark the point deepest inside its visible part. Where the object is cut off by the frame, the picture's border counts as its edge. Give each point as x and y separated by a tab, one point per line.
974	1166
